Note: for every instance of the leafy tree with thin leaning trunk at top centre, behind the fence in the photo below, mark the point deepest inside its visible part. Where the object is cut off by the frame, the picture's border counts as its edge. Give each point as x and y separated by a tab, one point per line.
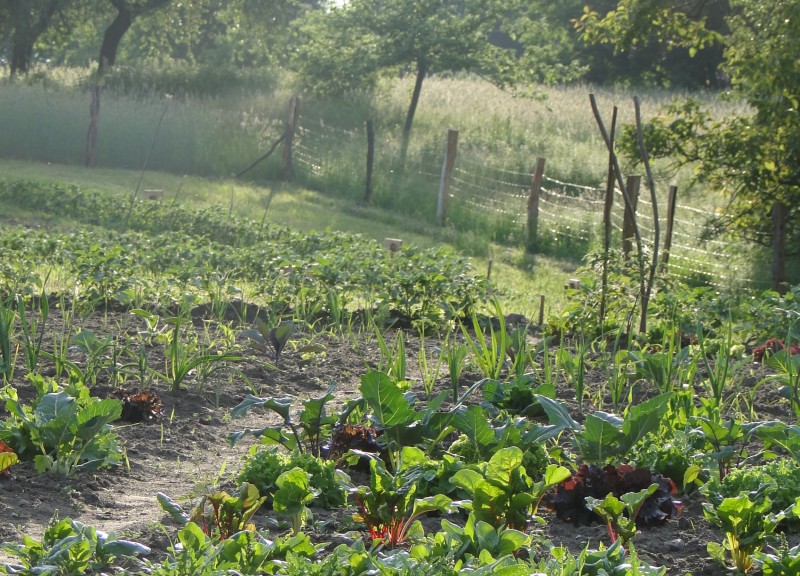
348	46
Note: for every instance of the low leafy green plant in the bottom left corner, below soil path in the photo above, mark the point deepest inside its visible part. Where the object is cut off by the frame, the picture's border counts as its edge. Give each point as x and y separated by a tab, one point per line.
68	547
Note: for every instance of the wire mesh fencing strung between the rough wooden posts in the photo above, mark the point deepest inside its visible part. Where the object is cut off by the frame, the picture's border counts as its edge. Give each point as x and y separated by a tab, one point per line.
569	214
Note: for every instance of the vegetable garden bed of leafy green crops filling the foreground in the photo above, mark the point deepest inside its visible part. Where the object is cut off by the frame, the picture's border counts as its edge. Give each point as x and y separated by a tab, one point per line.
531	431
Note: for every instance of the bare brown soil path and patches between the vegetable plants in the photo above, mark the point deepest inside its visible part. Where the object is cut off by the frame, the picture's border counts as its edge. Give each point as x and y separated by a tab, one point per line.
187	447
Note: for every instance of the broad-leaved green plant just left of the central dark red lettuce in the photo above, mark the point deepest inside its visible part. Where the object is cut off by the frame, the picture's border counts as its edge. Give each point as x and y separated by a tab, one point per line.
306	433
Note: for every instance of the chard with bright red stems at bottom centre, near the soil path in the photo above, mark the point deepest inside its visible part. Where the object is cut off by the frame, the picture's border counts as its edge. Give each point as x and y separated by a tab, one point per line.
388	506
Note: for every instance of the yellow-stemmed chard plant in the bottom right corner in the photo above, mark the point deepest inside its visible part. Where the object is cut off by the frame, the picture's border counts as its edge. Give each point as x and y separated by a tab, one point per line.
747	523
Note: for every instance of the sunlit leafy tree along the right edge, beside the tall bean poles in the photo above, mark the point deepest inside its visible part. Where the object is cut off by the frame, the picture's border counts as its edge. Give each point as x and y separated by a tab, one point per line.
753	158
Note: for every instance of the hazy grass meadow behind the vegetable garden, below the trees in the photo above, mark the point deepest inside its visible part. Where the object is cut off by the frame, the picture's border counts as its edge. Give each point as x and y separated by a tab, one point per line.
201	142
